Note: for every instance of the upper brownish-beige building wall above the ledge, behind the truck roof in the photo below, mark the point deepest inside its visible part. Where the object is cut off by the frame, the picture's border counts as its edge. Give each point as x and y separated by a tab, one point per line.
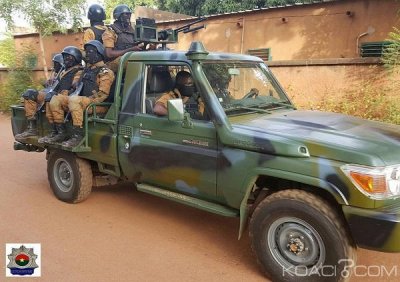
310	31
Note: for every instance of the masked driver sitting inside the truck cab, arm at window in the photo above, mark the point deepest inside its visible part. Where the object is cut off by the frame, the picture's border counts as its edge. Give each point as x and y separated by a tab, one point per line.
185	90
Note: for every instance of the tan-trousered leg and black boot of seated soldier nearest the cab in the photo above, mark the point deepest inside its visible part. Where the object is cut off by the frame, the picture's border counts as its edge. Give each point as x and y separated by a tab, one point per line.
76	105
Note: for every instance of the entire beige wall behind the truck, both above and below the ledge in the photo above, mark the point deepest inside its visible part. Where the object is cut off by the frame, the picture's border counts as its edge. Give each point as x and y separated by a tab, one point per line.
320	32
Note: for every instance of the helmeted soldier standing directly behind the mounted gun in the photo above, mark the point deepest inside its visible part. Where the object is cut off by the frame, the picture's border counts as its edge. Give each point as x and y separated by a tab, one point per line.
119	38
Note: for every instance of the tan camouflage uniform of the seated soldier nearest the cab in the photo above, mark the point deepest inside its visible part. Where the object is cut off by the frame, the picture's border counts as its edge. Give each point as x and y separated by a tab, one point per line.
92	92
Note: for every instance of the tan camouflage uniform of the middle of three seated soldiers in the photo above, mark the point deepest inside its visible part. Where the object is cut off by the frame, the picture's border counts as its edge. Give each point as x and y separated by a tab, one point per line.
59	103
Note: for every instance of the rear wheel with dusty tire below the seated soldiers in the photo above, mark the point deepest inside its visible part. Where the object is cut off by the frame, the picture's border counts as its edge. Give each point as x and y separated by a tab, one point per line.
70	177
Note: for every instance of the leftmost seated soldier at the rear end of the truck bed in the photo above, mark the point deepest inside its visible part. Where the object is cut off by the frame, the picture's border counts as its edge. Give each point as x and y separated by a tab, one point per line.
34	99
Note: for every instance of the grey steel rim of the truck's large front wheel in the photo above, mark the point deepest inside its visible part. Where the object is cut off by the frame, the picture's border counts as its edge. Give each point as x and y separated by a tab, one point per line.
296	245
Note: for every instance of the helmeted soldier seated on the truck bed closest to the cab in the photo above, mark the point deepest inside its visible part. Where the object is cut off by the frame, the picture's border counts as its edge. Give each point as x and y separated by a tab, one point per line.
97	80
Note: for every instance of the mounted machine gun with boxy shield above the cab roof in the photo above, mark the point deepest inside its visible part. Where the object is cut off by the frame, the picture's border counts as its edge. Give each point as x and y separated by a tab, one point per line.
146	32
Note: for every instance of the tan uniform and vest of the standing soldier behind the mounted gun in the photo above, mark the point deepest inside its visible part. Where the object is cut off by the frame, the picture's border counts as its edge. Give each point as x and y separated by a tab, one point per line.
120	39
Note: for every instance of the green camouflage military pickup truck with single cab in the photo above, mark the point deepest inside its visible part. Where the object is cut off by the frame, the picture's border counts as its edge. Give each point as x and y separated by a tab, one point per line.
312	186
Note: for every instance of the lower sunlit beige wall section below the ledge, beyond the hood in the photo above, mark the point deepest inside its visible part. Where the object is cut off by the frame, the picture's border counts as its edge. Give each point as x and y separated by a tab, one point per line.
308	85
